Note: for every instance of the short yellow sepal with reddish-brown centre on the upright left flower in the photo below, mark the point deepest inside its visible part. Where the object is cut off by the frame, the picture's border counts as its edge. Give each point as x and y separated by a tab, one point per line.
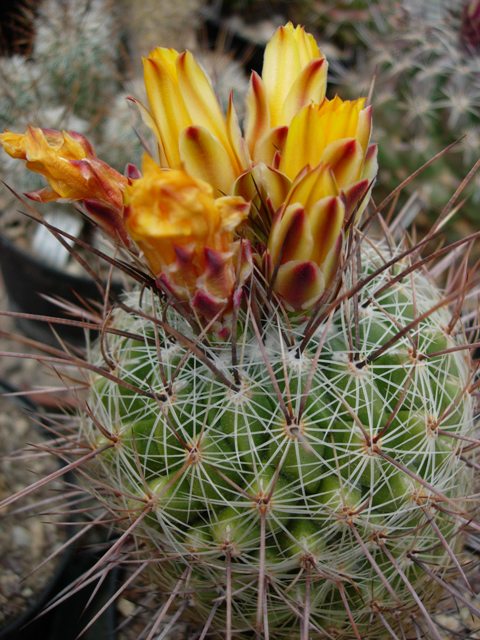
204	157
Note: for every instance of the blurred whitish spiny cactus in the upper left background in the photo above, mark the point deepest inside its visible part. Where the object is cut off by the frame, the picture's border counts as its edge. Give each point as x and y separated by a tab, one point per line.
70	80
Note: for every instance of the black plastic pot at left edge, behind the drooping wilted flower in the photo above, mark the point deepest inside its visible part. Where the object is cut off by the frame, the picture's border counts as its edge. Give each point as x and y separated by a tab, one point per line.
26	279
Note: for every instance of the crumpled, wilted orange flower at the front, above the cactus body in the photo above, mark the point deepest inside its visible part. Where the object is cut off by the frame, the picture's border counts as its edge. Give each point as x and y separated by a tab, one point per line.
186	235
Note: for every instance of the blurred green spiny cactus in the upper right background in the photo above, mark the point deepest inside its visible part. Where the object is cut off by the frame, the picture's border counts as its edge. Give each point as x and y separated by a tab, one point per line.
426	62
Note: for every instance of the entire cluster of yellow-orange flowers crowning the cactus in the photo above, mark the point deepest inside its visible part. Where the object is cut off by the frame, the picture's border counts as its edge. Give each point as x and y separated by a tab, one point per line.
287	186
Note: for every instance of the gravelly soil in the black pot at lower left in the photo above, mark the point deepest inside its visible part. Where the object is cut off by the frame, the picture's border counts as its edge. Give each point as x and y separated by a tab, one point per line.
26	538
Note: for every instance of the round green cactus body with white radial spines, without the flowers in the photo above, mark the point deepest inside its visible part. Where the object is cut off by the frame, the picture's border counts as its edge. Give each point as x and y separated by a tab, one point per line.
287	484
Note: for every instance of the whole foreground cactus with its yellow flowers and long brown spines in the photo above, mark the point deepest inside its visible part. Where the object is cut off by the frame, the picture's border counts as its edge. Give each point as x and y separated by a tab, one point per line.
280	412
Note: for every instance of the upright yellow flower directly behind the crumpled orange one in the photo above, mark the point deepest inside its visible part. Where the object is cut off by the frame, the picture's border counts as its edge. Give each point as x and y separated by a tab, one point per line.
191	129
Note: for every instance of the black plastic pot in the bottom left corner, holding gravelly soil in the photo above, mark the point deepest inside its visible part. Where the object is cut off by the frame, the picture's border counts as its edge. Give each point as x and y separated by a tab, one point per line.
66	621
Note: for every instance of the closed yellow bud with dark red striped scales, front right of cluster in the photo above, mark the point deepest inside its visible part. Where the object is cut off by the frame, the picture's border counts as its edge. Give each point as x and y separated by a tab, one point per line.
305	242
